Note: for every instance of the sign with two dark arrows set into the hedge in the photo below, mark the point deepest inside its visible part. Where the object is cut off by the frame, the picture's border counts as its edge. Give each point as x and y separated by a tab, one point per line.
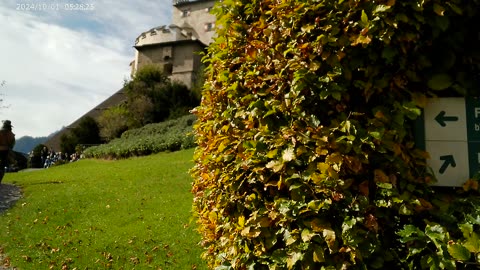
450	132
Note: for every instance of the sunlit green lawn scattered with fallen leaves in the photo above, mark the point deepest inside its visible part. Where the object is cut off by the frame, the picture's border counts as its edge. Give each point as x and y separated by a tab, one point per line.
97	214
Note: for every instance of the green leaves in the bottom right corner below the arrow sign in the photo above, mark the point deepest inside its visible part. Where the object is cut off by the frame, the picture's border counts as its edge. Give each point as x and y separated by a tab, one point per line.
450	240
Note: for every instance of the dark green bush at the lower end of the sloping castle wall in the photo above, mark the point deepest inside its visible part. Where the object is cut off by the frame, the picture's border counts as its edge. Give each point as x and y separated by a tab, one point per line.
87	132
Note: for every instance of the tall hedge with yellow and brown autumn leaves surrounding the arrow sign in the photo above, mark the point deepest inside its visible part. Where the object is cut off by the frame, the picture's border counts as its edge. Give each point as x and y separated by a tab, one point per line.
306	156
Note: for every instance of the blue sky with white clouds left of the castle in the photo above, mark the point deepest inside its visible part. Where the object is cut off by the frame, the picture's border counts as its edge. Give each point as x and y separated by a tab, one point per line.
56	64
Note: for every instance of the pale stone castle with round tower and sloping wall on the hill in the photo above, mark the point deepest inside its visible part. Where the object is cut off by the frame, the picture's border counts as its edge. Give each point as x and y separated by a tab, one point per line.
175	48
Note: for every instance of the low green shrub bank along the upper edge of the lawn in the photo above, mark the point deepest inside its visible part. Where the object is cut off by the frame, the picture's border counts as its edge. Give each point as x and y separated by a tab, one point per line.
171	135
